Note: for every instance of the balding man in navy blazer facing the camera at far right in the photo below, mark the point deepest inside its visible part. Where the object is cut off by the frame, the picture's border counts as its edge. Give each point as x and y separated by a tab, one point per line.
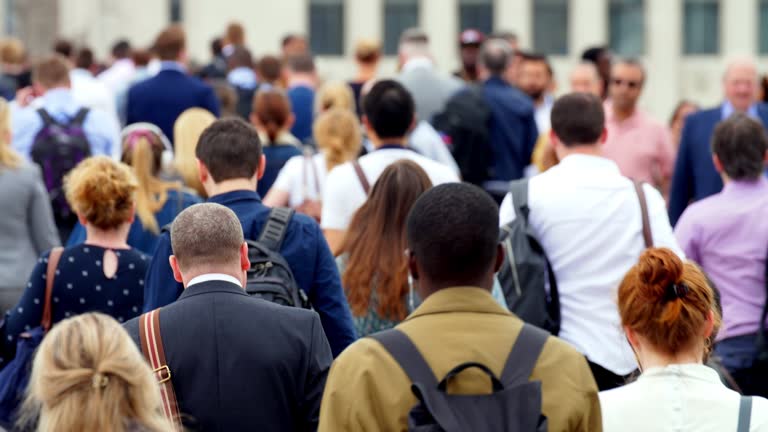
695	176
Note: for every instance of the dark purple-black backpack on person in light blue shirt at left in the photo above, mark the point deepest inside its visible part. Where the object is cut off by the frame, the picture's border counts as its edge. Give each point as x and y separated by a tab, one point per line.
58	148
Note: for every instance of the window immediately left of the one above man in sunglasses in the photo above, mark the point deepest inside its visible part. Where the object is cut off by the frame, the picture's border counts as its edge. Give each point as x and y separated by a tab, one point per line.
550	26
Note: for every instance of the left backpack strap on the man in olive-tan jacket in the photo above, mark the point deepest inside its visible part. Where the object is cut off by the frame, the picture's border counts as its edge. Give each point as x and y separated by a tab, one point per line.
407	356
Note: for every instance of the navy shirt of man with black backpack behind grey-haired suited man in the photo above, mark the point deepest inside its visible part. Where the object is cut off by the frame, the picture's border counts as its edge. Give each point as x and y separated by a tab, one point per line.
304	249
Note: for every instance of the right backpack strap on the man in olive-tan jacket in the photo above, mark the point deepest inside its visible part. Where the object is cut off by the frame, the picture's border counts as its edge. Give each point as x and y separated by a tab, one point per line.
524	355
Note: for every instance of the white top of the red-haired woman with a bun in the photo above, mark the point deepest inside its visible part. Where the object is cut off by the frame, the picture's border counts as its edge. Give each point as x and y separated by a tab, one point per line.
680	397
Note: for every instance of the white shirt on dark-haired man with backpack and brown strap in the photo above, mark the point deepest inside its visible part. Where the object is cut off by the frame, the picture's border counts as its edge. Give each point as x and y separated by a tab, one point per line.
587	217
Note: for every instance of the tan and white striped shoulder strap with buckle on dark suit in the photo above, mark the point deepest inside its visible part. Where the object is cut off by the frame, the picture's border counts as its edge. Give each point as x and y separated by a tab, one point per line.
154	352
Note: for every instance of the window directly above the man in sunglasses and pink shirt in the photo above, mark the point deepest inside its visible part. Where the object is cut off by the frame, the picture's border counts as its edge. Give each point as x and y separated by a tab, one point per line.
627	27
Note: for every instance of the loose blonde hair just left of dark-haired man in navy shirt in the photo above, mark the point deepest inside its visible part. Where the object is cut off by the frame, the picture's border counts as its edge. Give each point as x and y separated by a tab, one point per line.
186	132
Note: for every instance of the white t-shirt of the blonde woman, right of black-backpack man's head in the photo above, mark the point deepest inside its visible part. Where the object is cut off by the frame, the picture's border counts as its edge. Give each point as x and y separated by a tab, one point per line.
301	180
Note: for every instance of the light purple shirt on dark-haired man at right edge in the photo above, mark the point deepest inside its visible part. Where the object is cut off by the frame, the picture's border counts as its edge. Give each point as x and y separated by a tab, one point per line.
727	235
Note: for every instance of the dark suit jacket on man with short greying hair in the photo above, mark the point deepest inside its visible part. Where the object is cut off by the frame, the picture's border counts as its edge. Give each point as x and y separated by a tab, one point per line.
240	363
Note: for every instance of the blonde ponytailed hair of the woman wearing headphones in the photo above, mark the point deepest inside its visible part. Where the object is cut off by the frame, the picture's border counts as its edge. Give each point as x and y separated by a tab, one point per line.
143	151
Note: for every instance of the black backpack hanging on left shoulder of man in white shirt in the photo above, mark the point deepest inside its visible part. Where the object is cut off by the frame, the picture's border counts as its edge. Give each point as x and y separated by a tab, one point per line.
526	269
